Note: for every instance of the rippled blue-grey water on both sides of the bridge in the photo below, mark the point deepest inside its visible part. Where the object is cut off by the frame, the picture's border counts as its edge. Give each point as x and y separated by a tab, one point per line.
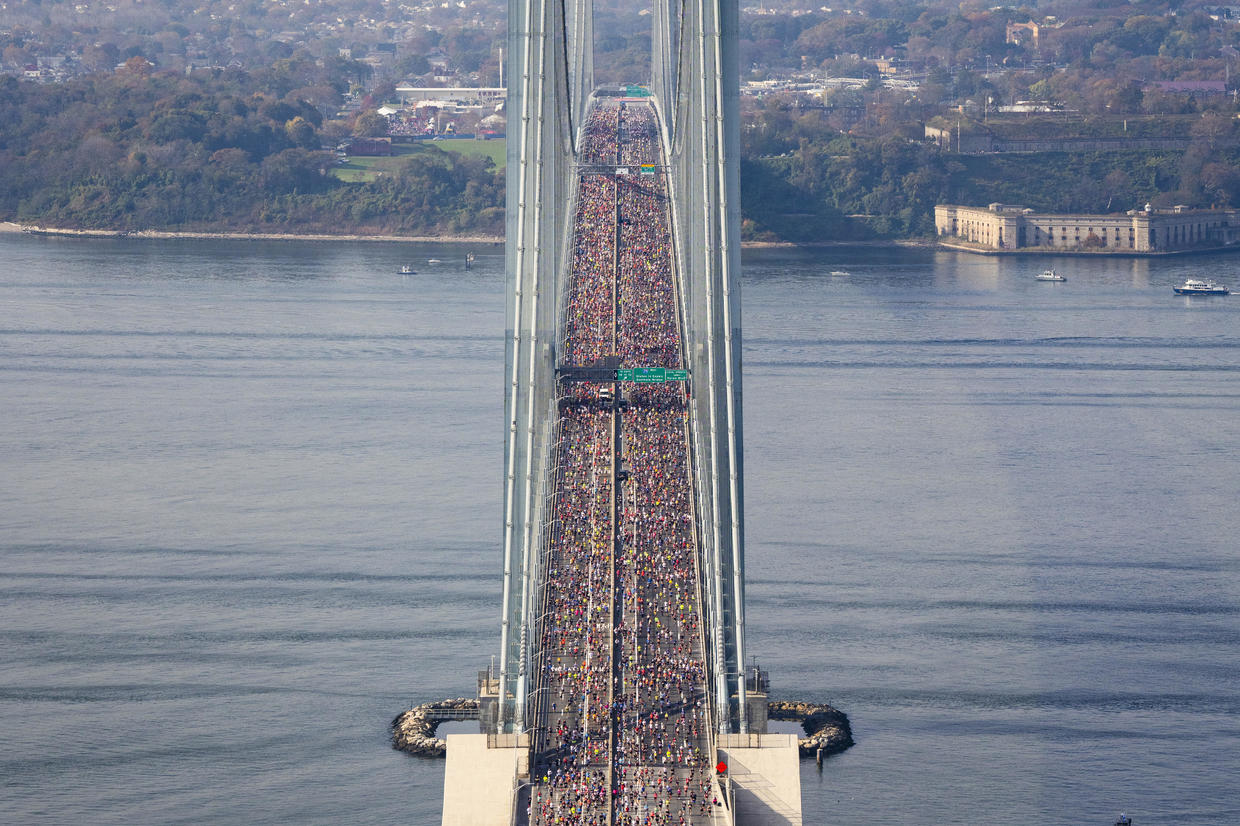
251	495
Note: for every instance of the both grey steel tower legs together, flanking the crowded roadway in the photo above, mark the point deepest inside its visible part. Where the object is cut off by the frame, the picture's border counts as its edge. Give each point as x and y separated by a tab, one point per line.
695	86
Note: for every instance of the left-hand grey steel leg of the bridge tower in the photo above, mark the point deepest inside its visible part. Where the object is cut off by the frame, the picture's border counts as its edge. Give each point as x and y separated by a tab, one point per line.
550	70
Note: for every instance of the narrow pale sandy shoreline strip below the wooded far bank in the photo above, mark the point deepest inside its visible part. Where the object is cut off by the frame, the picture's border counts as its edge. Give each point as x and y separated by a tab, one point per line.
169	235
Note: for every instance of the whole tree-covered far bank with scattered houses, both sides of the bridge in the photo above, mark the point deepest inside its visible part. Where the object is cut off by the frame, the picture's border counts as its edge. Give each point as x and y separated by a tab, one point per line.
161	143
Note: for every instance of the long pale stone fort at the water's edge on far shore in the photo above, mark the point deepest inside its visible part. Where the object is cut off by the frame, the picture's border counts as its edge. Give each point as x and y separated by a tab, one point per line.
1001	228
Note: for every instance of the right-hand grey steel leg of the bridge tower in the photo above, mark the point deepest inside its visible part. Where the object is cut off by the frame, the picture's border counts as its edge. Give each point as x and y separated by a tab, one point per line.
697	86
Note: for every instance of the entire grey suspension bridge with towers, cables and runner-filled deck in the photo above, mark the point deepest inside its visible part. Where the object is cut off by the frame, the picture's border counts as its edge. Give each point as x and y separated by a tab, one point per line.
622	694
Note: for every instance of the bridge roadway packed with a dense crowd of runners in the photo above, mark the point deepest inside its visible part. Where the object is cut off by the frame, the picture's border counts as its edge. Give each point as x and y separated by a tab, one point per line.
623	731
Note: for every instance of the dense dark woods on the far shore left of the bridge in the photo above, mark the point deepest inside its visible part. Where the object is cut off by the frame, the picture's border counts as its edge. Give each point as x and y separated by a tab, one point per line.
215	151
